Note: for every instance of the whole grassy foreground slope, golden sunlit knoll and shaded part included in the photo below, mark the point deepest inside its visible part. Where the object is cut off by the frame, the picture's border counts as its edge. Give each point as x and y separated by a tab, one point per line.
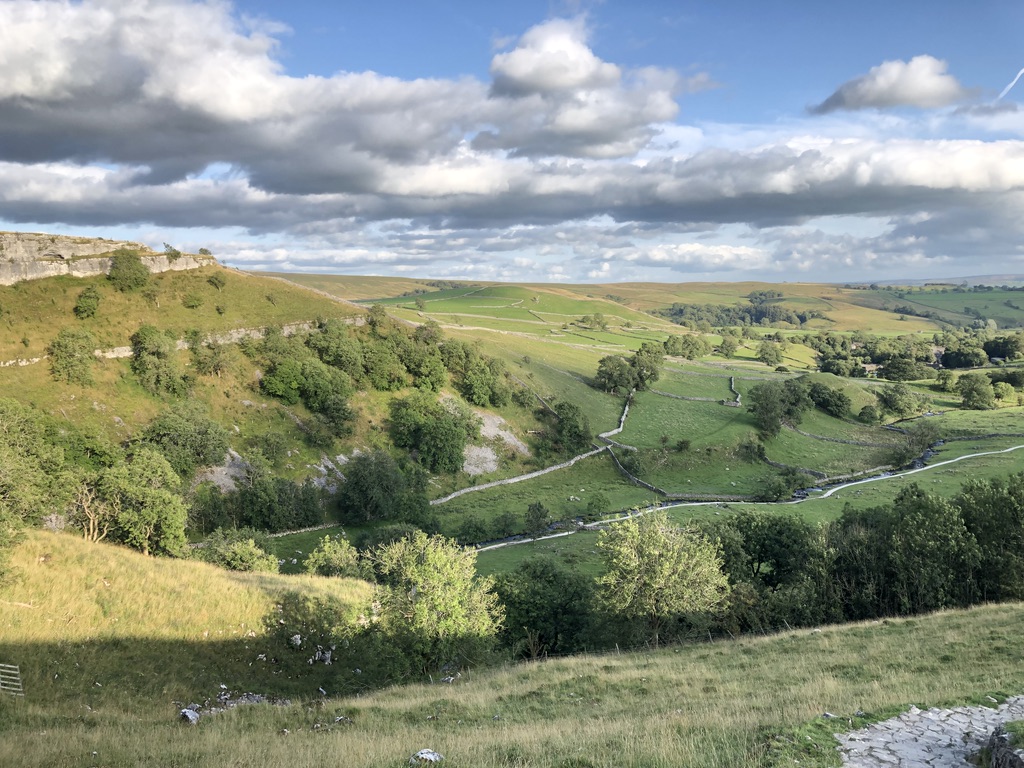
112	648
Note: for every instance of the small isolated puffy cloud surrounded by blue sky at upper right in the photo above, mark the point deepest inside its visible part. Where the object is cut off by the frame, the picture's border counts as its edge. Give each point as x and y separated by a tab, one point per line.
922	82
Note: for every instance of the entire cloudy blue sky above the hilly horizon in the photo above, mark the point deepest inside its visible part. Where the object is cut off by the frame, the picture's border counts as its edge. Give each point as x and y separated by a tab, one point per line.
562	142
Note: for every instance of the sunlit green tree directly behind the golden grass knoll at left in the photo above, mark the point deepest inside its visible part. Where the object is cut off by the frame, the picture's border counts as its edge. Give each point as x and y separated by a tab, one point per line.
149	514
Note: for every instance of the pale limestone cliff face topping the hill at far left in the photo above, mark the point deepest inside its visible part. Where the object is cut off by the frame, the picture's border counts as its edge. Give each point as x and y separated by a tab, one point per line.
33	257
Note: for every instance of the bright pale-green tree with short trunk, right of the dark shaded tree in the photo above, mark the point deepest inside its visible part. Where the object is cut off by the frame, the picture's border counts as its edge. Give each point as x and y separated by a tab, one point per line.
656	573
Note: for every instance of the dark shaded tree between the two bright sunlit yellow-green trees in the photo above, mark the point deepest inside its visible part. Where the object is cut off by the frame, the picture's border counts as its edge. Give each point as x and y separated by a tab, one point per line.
549	609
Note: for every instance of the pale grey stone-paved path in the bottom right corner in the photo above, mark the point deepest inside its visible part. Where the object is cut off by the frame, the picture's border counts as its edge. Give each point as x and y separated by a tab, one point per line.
938	739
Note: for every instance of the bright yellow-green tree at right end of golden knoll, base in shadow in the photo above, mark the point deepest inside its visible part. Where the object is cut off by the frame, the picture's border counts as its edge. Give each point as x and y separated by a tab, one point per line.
435	612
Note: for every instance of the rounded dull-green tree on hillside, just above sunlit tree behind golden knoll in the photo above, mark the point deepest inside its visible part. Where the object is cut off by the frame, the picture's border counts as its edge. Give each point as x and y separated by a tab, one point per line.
188	438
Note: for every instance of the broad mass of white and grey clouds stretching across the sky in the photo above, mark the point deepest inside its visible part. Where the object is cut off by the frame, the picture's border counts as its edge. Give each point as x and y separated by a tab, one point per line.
176	114
